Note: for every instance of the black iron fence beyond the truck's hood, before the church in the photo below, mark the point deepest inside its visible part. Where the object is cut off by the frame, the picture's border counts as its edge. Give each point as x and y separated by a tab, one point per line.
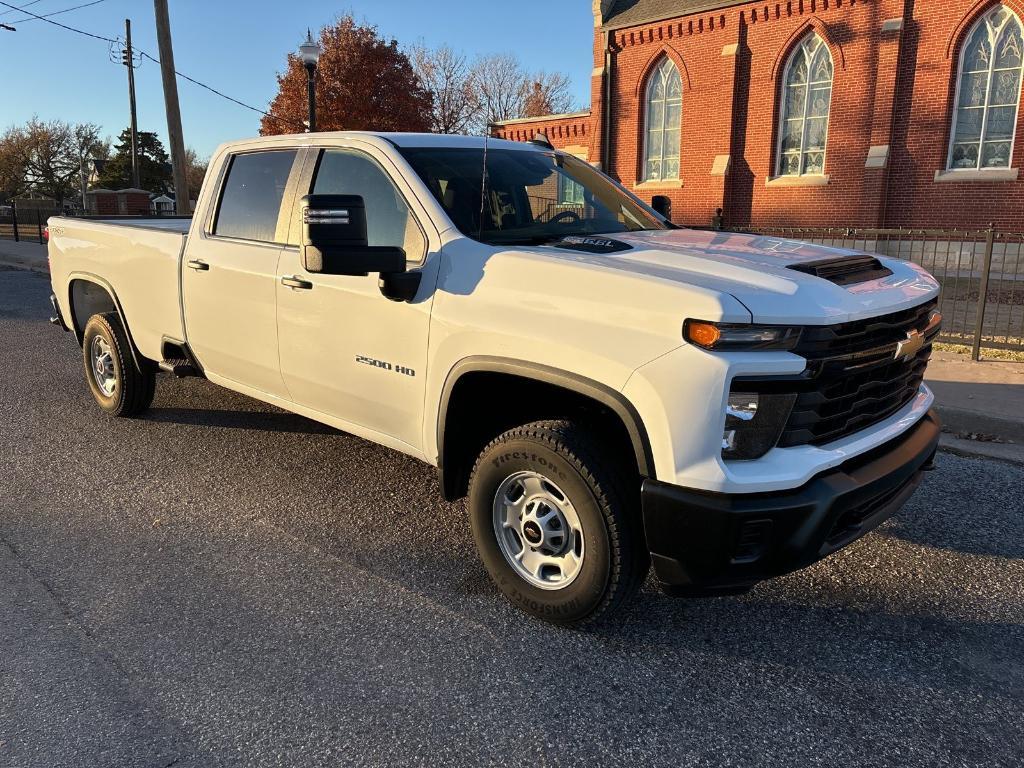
982	273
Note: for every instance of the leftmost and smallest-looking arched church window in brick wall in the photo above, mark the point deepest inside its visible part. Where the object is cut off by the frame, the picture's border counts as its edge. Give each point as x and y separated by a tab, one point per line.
664	114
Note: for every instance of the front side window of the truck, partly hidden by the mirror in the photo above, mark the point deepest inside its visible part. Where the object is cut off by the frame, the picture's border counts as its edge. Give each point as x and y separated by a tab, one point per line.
390	223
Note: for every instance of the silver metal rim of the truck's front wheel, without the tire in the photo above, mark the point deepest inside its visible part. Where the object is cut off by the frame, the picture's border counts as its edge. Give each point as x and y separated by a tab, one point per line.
539	531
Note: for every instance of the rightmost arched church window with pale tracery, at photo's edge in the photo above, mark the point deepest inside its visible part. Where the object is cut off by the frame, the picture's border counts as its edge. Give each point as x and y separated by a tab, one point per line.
989	94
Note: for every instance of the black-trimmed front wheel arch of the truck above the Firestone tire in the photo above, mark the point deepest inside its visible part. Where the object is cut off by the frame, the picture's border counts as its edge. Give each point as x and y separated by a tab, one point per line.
454	438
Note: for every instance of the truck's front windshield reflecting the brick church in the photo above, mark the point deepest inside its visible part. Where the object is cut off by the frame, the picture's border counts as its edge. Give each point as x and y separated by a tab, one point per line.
532	197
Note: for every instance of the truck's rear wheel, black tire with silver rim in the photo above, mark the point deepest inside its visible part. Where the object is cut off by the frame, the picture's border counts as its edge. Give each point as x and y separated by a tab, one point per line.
118	386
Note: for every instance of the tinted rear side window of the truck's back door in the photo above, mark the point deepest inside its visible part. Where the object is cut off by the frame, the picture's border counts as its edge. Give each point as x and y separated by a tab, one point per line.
250	203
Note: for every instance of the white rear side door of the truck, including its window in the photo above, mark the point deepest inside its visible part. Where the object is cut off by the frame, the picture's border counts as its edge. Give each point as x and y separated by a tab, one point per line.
231	272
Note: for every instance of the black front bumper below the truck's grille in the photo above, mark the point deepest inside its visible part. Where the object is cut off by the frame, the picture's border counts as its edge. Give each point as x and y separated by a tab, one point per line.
706	543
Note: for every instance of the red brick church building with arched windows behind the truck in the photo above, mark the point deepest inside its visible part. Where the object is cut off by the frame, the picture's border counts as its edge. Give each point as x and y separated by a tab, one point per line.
807	113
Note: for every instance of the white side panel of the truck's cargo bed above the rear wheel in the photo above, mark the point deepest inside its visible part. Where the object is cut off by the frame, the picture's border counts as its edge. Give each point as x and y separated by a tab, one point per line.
138	260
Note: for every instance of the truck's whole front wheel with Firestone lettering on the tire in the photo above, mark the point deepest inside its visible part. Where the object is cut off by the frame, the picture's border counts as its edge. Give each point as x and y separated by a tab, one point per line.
556	524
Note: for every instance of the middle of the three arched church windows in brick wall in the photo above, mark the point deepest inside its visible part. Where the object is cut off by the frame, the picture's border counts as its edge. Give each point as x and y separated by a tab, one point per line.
806	102
